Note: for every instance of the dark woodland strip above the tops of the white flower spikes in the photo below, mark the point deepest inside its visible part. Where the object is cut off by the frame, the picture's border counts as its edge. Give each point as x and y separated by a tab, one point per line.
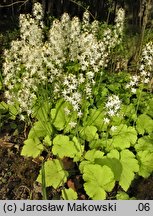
103	10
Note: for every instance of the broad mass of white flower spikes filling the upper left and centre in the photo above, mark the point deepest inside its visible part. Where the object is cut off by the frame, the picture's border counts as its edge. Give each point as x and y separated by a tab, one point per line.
66	64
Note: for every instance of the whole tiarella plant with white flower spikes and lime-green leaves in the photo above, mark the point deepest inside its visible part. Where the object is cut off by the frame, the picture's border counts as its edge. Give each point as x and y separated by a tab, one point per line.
101	121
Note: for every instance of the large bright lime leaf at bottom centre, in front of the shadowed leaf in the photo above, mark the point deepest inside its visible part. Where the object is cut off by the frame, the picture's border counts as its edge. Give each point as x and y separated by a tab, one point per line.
98	181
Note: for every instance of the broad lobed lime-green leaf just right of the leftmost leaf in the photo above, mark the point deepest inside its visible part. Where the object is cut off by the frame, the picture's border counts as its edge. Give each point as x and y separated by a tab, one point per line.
63	147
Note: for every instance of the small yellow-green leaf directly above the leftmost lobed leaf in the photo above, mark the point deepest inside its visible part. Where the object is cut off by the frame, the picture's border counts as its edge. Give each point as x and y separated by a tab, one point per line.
40	130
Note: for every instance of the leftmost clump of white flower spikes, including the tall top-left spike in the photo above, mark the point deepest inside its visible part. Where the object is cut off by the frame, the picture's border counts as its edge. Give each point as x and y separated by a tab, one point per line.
23	67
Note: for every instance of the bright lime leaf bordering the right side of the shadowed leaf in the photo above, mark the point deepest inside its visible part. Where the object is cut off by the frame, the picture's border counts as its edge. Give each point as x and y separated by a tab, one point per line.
129	166
